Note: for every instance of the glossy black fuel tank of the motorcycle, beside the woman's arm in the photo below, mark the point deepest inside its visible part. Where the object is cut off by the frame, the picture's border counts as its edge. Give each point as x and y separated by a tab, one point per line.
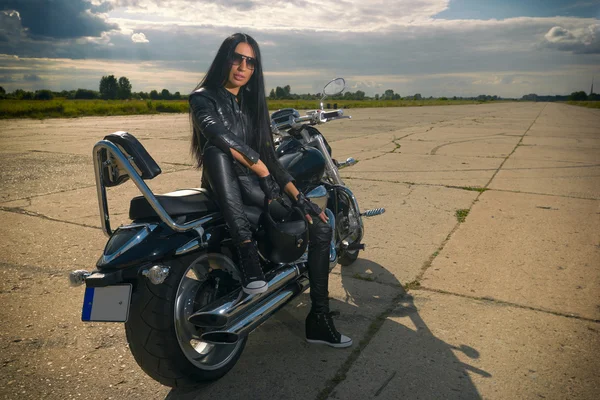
306	164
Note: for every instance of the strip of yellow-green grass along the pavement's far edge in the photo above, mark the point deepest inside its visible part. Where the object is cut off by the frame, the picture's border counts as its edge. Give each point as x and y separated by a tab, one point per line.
61	108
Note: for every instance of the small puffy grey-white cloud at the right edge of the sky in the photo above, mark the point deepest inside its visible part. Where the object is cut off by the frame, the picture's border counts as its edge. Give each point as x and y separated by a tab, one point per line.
585	40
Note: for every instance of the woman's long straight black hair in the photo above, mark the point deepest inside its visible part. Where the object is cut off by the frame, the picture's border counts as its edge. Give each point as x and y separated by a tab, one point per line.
252	95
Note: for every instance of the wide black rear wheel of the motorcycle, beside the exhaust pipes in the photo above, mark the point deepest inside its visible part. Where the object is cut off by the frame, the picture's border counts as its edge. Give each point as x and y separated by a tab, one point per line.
164	344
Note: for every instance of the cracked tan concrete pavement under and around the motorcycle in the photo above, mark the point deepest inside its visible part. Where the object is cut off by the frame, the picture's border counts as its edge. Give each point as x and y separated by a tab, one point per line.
503	305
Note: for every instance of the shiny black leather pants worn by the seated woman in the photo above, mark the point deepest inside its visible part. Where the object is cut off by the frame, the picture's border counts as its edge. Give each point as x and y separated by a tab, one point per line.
233	189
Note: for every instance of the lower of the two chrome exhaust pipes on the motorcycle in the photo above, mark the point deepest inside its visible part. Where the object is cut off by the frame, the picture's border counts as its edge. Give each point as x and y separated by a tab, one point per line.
247	323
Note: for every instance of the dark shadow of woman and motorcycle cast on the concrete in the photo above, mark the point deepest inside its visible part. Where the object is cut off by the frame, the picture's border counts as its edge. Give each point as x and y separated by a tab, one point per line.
403	359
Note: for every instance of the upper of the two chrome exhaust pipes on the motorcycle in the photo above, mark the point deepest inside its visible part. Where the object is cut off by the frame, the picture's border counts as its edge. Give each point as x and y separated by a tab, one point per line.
220	313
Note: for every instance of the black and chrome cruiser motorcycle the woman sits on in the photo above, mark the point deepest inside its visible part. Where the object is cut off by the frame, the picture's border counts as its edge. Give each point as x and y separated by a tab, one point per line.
171	275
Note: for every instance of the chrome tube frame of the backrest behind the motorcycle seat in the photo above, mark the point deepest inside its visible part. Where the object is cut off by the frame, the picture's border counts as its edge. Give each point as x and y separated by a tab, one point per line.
120	165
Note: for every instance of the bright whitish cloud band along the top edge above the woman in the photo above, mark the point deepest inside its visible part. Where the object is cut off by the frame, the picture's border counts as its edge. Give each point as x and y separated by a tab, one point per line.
355	15
